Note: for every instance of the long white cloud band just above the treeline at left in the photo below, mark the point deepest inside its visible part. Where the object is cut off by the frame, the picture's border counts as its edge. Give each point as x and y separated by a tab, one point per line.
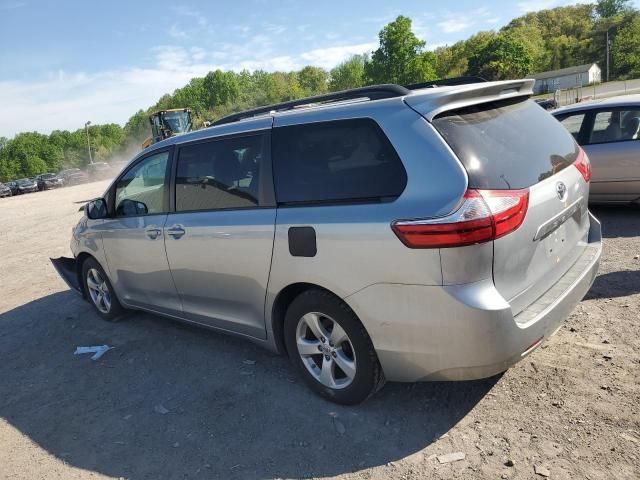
66	100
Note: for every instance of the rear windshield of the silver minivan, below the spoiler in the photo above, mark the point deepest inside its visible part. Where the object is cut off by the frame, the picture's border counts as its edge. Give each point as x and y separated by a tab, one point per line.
508	144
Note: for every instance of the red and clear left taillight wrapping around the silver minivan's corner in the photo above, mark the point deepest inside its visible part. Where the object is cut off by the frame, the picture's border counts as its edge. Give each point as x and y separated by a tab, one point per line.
483	216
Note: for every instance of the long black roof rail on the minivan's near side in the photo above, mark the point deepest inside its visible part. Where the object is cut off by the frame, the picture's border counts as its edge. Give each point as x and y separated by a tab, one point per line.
374	92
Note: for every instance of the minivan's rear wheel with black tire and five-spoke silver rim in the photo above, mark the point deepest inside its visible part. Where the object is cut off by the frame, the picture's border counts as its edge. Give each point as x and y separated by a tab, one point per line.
339	364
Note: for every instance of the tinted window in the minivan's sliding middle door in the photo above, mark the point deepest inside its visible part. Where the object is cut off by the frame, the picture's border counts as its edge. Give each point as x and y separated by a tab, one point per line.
219	174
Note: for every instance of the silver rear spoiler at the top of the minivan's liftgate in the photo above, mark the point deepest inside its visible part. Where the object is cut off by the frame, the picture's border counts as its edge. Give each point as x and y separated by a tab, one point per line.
432	102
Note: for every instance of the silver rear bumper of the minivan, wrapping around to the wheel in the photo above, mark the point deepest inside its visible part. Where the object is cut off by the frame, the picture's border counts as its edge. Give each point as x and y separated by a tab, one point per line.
465	332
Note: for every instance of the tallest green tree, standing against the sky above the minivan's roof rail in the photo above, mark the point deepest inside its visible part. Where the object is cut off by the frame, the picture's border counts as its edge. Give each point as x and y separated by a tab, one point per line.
401	57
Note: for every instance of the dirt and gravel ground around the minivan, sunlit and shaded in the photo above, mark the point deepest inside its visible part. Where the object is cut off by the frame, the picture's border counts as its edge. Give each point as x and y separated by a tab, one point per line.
174	401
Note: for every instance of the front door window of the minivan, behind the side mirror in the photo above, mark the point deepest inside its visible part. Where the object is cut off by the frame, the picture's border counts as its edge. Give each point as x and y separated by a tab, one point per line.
142	190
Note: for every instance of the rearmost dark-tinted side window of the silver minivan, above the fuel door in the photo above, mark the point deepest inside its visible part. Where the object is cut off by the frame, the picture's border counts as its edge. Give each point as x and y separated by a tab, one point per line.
338	161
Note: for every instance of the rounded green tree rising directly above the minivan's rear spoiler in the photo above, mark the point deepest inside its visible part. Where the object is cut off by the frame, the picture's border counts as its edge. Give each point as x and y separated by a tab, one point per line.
501	58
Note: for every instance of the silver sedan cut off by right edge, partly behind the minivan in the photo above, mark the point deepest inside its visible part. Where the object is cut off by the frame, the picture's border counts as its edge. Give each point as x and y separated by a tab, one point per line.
609	132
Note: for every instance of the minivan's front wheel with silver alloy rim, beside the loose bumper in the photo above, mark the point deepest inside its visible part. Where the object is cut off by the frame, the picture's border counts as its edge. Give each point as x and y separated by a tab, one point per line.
99	291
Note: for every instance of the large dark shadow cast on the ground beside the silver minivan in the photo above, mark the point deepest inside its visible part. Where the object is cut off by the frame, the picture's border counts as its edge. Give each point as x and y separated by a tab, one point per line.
170	400
